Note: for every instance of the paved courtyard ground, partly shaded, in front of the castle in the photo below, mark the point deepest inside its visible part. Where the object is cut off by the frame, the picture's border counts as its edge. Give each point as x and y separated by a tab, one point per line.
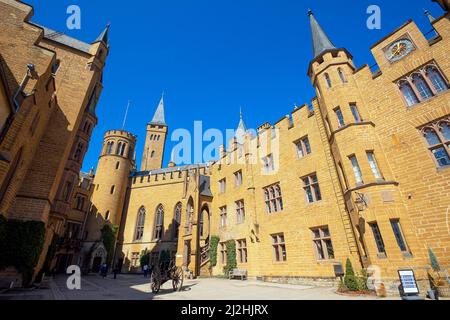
135	287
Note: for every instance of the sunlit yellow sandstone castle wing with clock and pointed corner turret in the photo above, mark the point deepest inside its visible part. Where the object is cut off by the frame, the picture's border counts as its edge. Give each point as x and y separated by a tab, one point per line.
362	174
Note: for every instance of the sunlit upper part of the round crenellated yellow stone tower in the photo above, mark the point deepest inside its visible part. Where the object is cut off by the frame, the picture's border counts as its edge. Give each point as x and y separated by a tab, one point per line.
111	180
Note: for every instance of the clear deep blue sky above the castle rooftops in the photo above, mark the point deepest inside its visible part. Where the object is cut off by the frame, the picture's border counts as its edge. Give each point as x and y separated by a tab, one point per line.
213	56
